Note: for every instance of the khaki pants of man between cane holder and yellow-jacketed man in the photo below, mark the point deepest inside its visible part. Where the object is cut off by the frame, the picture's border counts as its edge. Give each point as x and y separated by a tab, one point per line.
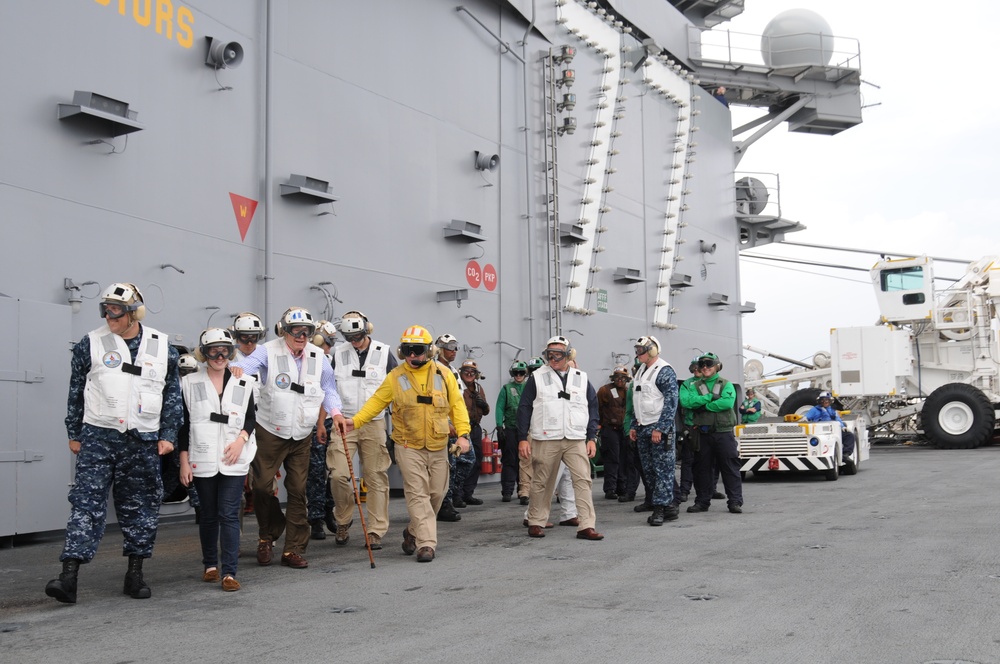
369	443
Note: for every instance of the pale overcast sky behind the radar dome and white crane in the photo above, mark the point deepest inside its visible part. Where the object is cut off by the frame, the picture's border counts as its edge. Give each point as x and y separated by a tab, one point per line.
916	177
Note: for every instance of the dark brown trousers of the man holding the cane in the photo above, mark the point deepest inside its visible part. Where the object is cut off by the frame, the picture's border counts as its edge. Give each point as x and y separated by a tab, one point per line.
272	452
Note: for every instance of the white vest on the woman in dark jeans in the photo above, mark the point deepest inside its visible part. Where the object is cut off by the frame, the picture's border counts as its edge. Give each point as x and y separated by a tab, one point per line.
217	422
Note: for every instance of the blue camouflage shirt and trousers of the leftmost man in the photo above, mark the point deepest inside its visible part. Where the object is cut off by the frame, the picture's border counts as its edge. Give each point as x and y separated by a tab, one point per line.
128	463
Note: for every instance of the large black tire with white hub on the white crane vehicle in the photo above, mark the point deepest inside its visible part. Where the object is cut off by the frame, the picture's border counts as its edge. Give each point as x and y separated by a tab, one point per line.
957	416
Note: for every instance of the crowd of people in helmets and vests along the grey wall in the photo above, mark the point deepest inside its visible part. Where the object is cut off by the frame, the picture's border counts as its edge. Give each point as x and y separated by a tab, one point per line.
245	408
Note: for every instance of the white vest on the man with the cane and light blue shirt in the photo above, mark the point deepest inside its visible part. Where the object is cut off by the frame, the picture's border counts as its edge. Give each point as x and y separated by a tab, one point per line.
290	399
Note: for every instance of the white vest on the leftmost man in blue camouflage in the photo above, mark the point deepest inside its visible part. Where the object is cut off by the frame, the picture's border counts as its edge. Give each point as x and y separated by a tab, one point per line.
120	394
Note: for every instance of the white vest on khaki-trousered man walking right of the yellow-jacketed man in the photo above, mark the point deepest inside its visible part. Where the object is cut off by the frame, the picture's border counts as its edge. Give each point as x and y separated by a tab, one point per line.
556	412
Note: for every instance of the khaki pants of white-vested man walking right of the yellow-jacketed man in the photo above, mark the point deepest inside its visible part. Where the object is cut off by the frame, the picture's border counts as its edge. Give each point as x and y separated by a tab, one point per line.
545	458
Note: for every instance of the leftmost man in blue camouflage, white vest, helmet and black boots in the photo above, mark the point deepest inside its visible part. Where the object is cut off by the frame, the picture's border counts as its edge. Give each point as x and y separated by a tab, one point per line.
124	411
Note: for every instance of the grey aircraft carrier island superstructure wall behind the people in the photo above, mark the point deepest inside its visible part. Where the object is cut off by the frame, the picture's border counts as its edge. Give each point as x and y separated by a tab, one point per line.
499	170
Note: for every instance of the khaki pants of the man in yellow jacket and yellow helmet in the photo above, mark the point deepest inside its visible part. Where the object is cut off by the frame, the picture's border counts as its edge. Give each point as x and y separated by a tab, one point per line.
425	481
